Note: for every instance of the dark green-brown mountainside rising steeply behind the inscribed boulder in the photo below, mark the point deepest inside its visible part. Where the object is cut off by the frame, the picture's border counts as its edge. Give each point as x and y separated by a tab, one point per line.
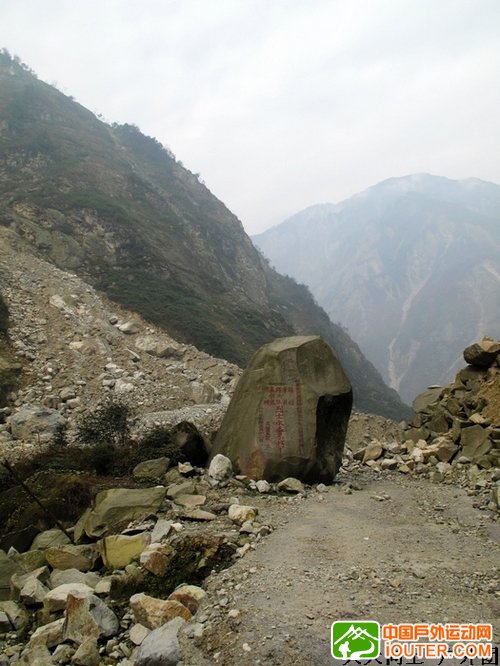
116	208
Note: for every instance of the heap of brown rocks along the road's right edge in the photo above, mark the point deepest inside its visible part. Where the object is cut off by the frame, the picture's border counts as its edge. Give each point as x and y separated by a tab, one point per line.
455	435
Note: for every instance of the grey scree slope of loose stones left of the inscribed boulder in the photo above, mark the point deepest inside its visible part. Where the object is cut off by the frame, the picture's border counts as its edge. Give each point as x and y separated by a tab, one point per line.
76	348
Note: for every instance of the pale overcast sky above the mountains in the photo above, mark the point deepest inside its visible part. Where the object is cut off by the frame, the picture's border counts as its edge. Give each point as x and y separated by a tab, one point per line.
280	104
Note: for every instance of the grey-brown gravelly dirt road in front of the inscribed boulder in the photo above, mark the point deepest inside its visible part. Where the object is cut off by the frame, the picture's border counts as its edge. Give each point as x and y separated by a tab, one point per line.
396	550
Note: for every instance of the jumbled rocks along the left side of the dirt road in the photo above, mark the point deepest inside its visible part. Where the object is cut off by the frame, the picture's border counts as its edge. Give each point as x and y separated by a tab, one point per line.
129	587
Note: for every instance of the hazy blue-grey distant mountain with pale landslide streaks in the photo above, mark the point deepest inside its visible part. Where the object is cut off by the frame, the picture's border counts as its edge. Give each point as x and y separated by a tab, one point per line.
410	266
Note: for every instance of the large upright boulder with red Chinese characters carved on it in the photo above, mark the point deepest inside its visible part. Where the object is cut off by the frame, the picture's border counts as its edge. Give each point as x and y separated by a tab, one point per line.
289	413
